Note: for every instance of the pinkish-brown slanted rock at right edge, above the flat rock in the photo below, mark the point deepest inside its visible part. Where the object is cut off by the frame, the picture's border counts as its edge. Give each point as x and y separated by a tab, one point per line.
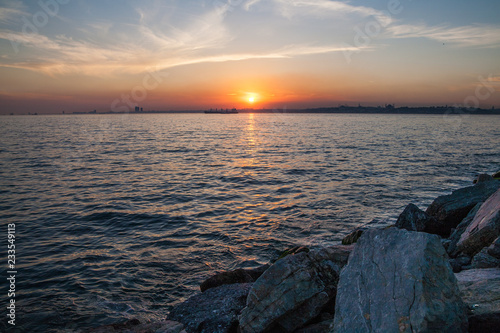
484	229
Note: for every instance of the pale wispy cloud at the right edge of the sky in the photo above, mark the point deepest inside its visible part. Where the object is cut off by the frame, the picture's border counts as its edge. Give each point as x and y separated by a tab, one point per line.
465	36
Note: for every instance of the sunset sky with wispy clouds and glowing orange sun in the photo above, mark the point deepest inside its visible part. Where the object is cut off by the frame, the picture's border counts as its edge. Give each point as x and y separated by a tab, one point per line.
84	55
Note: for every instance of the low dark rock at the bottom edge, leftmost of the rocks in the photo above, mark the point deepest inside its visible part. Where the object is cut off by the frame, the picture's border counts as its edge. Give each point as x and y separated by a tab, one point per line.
134	326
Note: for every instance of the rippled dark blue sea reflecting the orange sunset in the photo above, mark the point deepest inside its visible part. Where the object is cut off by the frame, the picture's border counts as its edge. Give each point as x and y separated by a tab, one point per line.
122	216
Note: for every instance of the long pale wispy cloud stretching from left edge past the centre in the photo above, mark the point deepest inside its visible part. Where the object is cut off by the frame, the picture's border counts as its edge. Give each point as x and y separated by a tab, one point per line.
62	55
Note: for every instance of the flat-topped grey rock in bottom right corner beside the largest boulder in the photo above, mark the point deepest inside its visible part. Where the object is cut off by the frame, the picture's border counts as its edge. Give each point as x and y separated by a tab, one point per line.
480	289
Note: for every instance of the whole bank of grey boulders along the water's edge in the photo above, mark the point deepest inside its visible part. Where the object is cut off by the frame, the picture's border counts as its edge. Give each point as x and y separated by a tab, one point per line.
433	271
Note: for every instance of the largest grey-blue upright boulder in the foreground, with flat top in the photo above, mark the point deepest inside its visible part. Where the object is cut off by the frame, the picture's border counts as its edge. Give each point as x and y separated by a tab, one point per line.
398	281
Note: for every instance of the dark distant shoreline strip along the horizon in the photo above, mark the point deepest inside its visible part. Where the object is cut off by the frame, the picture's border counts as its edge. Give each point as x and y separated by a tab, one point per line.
389	109
